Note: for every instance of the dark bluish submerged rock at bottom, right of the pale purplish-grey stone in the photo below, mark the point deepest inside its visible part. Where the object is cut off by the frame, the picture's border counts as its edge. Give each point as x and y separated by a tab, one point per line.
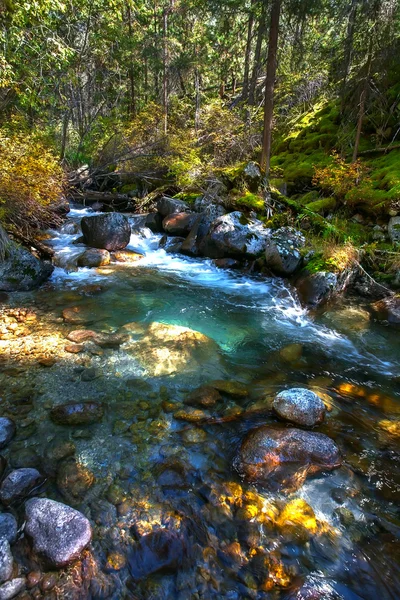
160	550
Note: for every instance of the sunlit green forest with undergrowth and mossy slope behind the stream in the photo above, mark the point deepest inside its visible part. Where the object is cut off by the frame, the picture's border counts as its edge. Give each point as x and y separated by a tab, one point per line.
166	96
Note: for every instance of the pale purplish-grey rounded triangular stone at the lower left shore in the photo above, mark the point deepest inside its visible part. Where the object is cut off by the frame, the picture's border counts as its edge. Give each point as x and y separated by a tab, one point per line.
58	532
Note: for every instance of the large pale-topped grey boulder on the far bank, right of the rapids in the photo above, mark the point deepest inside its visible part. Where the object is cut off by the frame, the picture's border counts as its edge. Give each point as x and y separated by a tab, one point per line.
235	235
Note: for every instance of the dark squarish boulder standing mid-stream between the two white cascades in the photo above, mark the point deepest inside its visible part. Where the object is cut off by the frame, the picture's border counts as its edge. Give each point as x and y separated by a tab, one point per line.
110	231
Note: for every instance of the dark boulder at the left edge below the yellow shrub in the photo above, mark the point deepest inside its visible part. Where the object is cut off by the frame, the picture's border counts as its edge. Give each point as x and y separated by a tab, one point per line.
20	271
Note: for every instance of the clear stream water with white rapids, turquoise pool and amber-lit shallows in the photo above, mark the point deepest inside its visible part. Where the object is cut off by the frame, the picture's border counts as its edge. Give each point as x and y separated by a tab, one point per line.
142	470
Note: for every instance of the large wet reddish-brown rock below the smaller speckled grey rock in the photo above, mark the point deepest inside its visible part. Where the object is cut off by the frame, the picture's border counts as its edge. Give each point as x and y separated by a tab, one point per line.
283	458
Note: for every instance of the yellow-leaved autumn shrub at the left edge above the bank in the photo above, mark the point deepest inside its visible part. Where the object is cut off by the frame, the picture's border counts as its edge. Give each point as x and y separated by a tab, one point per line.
30	181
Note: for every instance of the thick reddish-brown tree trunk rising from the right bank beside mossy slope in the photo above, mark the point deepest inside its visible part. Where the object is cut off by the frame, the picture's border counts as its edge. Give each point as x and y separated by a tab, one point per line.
270	85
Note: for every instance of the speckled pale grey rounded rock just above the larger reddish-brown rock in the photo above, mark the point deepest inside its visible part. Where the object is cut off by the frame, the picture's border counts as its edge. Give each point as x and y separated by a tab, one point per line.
299	406
